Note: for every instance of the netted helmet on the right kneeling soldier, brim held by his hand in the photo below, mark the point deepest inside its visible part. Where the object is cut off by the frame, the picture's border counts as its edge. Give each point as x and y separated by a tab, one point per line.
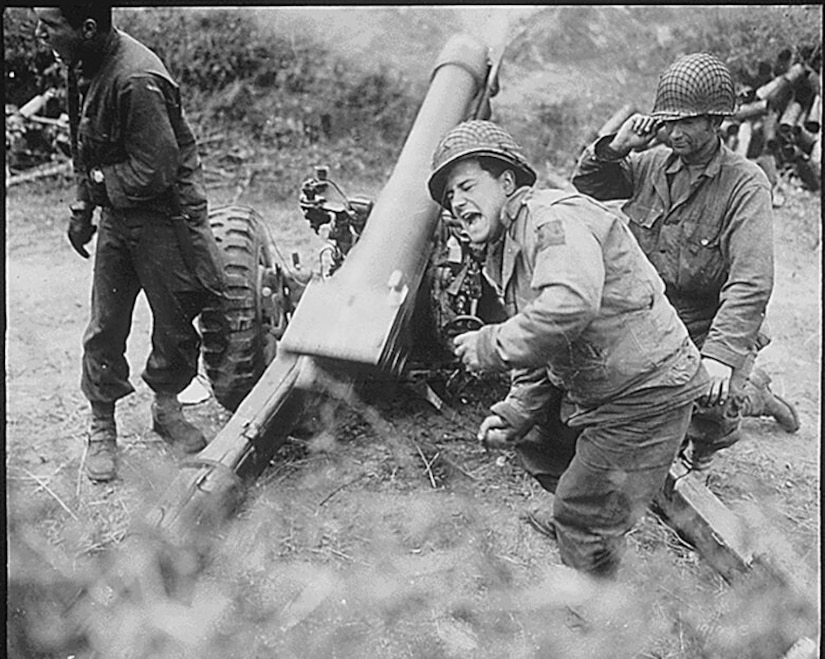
692	86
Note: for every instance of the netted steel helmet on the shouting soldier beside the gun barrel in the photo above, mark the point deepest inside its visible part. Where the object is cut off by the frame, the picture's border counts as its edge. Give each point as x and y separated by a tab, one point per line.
477	138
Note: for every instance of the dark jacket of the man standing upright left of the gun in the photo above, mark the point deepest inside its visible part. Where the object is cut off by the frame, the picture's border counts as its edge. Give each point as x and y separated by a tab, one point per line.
133	129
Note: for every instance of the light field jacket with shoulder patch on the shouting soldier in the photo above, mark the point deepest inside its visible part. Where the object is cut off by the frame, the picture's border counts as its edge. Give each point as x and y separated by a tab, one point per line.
587	311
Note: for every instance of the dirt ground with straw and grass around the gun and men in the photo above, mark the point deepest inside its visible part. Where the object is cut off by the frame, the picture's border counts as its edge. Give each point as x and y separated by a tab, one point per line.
386	532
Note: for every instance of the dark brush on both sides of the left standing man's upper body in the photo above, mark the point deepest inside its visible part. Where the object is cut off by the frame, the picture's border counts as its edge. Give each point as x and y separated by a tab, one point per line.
260	89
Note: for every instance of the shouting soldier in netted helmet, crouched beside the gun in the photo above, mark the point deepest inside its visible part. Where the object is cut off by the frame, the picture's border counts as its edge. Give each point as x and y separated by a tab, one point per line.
587	316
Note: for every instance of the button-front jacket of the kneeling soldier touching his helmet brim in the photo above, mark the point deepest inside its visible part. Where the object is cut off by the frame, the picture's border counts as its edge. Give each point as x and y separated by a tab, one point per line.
713	247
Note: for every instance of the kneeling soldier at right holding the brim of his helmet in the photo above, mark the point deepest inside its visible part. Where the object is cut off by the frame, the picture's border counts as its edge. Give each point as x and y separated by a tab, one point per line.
702	214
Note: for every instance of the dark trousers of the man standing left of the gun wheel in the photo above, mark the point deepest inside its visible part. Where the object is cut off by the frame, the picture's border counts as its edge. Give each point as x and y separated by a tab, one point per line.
139	251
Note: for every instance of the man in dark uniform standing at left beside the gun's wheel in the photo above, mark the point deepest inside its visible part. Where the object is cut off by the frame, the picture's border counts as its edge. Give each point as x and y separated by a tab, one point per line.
135	159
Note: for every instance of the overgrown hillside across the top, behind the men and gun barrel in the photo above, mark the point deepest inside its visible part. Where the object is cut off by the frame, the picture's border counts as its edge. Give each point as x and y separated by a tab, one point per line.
342	85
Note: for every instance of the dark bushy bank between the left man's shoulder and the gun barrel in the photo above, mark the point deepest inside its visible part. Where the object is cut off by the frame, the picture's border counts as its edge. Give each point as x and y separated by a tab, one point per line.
283	90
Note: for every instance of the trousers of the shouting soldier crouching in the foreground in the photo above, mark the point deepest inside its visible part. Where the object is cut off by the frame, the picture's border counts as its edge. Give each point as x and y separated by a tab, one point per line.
604	474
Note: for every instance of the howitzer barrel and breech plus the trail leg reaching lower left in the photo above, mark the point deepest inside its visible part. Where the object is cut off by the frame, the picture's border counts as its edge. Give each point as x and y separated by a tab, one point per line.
353	318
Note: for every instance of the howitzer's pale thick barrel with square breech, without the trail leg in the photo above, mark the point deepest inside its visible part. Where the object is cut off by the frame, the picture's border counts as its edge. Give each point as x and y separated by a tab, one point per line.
373	293
